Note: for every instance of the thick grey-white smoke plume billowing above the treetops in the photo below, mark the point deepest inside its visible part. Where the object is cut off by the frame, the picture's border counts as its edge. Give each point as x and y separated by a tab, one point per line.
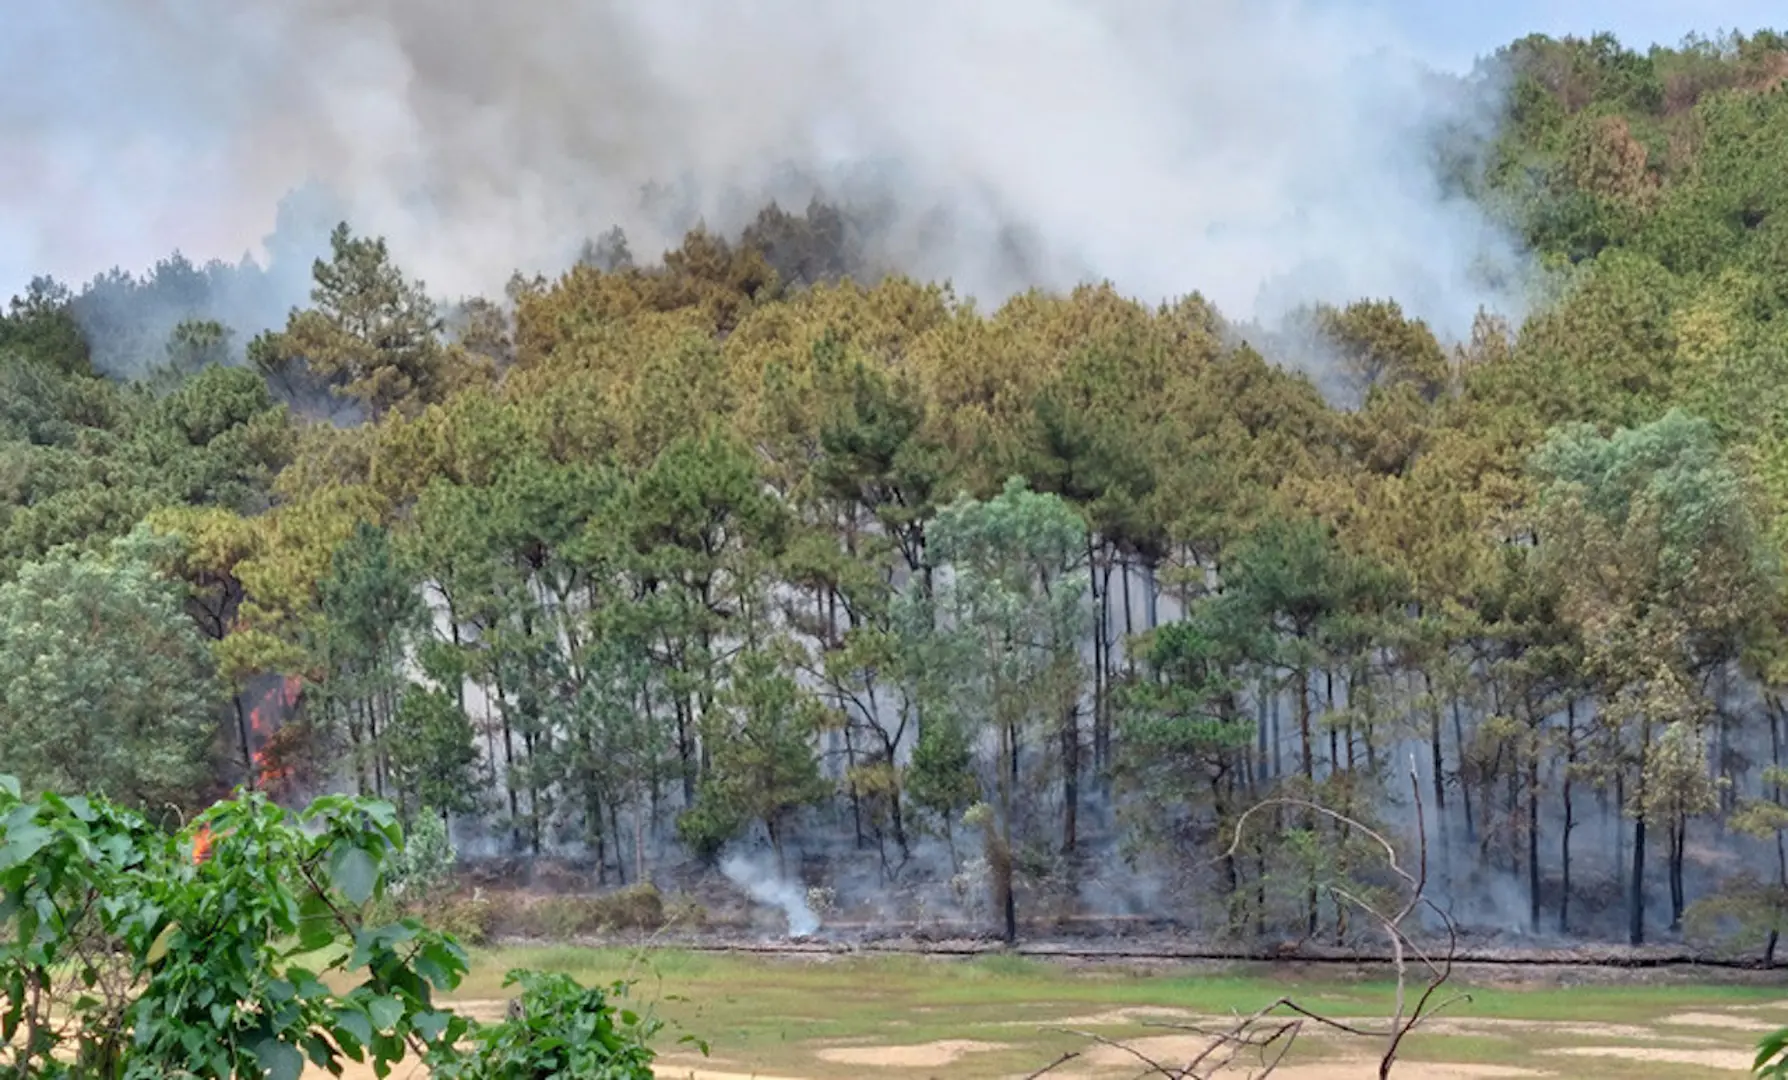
1260	151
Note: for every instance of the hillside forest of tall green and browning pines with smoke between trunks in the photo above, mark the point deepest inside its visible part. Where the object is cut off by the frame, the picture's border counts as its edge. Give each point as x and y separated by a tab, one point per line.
763	548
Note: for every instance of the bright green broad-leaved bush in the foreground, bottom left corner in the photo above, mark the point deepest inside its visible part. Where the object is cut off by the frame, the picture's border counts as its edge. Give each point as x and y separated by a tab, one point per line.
210	954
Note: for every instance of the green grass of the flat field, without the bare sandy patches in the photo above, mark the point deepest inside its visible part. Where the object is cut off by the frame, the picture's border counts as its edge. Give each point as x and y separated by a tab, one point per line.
773	1013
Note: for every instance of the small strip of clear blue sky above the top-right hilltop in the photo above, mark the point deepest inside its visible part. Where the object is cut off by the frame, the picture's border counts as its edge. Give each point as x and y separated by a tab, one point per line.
1456	31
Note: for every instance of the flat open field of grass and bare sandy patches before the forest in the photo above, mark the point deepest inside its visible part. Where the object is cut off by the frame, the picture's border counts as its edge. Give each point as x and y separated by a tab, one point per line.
859	1018
